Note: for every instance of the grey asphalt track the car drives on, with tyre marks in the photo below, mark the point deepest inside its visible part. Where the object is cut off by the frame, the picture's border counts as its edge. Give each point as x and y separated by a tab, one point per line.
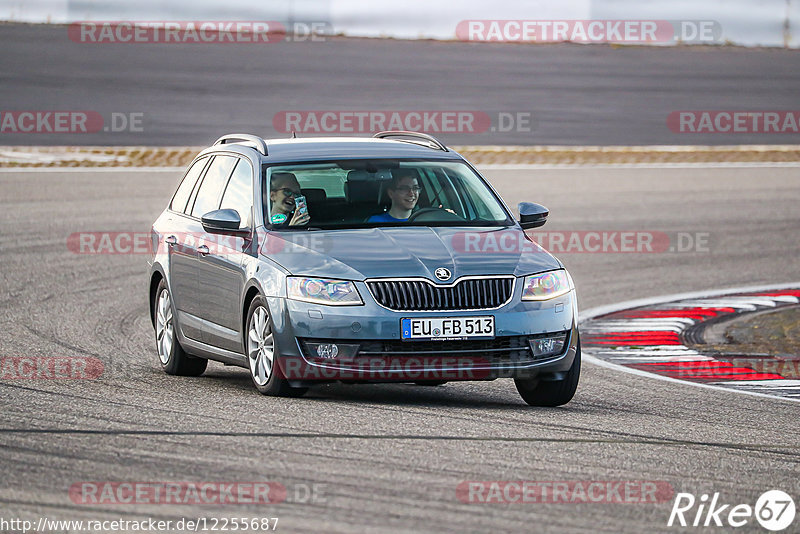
387	456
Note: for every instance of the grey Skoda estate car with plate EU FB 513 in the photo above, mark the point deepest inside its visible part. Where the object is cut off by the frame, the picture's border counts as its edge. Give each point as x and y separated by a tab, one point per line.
384	259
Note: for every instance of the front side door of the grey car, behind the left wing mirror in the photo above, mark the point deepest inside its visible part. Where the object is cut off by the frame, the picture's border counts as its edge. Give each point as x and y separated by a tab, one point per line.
220	274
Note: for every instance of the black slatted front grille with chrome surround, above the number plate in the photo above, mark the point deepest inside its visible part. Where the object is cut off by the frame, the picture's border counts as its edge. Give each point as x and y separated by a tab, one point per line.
422	295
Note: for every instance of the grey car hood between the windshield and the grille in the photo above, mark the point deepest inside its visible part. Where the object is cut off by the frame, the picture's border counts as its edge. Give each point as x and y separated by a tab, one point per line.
358	254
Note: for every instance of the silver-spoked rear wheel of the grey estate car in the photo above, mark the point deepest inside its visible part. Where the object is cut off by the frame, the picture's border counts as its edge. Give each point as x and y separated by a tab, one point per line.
173	358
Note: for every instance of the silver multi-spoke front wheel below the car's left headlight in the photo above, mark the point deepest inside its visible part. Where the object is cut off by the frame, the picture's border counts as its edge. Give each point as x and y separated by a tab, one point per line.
261	355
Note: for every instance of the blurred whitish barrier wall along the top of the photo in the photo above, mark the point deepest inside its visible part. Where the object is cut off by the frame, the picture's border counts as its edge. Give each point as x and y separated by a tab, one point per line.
742	22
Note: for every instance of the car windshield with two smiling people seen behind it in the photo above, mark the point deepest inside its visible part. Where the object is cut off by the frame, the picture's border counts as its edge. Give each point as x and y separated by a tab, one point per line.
363	194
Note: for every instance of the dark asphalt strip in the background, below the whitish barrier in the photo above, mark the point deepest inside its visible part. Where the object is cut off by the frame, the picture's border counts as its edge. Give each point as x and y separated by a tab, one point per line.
188	94
